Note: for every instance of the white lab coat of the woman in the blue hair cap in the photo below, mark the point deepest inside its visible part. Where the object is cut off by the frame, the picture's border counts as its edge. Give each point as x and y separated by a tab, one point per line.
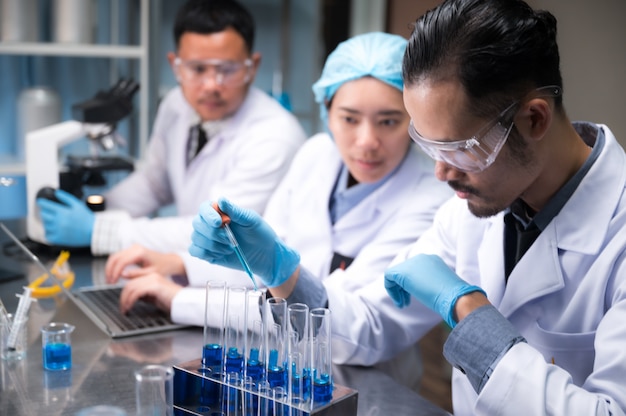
372	232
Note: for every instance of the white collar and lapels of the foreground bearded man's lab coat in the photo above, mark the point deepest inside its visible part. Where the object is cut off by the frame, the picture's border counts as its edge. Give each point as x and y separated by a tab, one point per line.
604	182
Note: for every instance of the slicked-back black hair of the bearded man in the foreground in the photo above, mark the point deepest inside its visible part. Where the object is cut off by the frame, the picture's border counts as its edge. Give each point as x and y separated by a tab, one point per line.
498	50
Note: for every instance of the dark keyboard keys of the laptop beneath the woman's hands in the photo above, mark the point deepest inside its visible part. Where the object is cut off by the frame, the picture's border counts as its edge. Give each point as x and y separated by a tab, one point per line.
142	315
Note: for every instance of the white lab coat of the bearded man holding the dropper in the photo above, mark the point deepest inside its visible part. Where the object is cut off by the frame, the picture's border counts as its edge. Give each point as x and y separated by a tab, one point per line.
566	296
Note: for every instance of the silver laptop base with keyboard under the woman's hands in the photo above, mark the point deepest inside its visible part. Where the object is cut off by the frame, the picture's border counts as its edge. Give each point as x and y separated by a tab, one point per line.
101	305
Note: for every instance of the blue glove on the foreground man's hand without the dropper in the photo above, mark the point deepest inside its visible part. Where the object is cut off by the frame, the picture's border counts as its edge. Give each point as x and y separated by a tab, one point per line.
430	281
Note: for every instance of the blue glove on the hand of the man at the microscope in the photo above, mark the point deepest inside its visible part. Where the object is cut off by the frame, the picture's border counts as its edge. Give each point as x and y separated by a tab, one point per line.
69	223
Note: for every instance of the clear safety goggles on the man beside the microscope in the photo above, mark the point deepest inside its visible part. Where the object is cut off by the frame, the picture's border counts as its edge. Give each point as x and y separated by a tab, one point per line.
226	73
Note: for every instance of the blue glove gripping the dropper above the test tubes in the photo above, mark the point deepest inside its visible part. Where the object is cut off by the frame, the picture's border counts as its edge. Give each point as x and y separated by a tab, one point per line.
268	257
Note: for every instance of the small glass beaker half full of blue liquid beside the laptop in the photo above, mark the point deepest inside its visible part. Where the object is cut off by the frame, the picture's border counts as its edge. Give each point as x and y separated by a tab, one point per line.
57	346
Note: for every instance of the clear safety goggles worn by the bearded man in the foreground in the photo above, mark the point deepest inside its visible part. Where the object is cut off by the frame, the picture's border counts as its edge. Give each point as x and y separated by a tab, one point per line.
480	151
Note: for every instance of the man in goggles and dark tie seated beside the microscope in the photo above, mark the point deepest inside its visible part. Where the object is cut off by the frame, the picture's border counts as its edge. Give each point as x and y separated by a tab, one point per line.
215	135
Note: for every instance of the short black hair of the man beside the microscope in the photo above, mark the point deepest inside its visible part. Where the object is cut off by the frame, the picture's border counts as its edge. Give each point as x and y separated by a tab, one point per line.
212	16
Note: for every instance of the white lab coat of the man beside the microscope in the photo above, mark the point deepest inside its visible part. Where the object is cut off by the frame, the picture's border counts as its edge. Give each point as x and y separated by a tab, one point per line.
244	162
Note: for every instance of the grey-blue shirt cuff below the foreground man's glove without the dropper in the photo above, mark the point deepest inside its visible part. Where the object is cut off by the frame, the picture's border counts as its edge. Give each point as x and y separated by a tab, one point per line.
477	344
